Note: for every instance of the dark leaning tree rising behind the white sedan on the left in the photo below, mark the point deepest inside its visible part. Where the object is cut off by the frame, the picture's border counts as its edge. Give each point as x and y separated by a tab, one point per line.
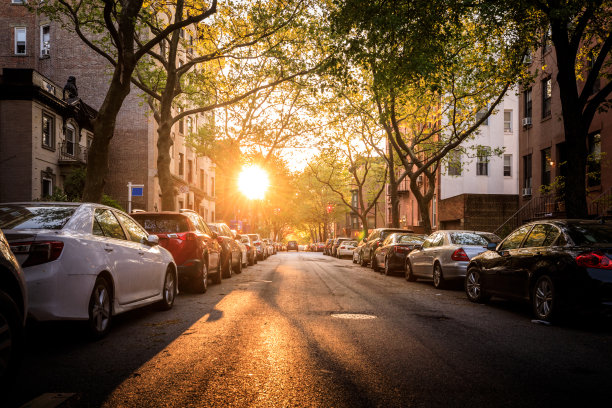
119	32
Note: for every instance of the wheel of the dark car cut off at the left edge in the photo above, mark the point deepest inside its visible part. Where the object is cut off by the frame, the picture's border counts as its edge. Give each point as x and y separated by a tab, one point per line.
11	340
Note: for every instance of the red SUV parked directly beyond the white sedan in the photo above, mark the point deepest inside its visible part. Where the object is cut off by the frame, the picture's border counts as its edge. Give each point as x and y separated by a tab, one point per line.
192	244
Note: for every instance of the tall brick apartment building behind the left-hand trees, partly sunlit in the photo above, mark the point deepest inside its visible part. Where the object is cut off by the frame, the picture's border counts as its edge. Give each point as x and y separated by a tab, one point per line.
31	41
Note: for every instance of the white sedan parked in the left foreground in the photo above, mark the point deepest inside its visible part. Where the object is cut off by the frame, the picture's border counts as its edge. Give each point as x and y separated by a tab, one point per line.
86	261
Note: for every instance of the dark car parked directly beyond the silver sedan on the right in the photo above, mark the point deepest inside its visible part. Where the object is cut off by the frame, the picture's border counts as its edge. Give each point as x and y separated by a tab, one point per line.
391	254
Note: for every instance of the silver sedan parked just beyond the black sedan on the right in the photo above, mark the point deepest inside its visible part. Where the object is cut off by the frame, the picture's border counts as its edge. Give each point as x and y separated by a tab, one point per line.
445	255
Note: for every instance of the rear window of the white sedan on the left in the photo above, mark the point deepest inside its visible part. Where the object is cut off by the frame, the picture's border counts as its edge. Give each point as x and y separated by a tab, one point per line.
35	216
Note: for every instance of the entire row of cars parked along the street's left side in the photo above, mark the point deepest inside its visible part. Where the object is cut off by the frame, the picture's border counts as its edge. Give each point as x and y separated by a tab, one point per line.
90	262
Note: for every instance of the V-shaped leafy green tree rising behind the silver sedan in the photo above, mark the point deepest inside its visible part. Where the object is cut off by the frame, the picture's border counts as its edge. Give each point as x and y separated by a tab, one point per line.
433	71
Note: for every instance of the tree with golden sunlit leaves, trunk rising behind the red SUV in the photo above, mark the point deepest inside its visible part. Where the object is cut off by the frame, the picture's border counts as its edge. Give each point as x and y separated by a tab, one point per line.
234	60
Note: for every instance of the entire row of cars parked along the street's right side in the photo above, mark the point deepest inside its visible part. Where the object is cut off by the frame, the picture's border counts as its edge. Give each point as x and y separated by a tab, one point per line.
558	266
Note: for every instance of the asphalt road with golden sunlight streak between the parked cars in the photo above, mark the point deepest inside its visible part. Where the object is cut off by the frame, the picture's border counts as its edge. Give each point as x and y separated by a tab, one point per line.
307	330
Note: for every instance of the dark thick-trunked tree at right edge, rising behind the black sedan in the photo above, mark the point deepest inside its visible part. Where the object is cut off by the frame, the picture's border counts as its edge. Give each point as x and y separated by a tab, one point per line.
581	32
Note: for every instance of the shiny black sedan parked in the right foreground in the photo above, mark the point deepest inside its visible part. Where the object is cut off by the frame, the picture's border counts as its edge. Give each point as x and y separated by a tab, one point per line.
556	265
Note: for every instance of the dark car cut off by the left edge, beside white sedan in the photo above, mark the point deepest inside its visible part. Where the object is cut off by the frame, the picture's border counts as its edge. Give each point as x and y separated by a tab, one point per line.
13	311
